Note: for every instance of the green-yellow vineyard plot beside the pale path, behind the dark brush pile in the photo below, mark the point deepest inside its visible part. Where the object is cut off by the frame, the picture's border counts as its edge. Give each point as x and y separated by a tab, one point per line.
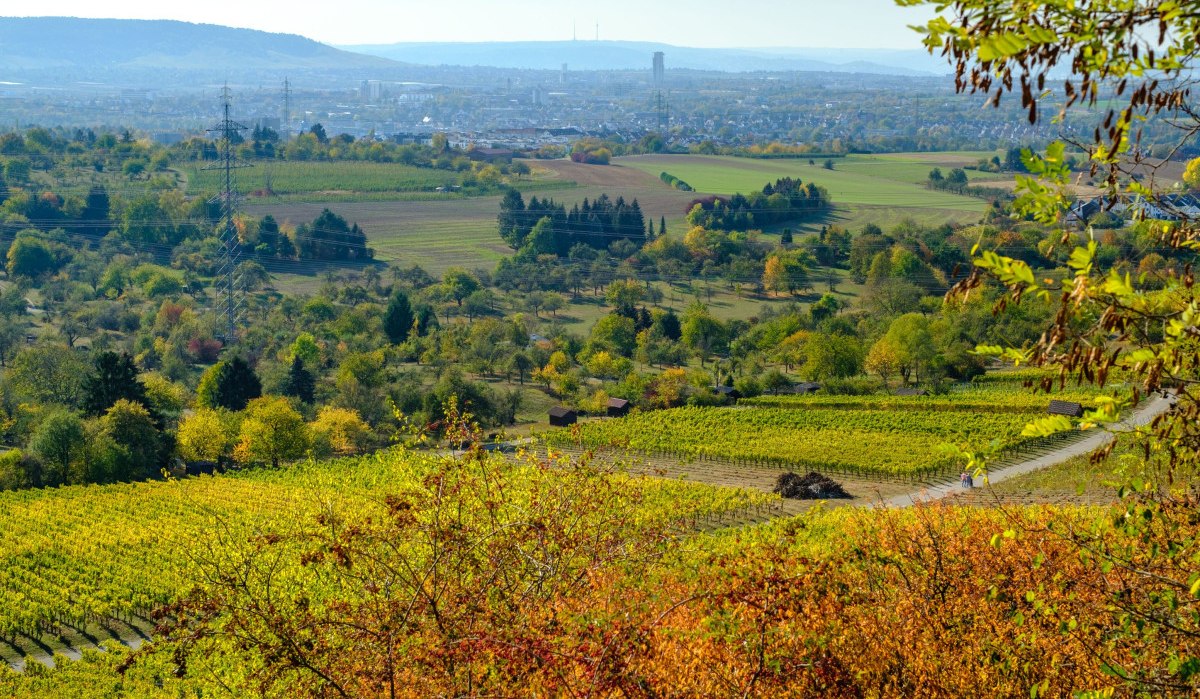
866	438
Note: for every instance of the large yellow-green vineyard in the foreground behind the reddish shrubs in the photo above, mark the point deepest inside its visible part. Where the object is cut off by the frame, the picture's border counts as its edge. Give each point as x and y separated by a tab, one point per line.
95	561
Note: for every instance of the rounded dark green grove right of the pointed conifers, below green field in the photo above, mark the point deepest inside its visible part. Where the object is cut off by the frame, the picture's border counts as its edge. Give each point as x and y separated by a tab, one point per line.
787	200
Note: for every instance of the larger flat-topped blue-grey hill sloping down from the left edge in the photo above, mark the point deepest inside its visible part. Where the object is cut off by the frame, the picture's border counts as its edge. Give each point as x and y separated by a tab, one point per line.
80	49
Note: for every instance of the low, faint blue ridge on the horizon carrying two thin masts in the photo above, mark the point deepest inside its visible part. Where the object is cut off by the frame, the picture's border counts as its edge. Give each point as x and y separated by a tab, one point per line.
591	56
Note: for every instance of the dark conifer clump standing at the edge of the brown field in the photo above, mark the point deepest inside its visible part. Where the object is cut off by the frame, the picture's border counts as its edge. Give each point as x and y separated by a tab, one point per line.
547	228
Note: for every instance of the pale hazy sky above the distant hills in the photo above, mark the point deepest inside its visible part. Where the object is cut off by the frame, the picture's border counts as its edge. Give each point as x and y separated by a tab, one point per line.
700	23
